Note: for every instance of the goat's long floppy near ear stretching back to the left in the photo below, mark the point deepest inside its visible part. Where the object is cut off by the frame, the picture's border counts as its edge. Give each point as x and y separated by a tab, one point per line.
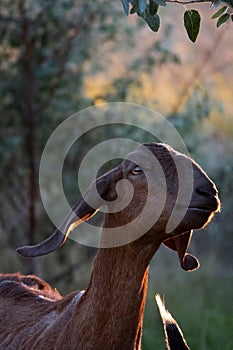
81	212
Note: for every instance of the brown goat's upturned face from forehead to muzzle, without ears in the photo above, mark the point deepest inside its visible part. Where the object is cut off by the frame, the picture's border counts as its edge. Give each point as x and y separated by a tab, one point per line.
174	192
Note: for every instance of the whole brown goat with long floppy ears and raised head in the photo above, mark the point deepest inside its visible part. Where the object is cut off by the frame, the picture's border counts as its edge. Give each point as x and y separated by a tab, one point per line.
109	314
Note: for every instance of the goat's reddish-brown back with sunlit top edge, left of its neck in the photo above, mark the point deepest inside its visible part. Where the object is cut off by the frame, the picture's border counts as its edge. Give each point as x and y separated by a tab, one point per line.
29	309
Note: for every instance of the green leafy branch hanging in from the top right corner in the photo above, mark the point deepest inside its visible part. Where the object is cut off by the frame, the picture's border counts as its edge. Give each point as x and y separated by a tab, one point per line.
148	11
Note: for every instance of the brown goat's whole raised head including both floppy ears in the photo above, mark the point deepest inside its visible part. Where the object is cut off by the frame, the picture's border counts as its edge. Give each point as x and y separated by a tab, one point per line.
155	194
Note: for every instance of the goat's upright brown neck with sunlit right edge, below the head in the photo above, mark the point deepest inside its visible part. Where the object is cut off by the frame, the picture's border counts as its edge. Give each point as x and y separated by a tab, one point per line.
115	299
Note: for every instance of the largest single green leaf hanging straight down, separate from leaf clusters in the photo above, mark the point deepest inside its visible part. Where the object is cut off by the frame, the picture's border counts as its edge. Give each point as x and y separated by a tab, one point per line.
192	21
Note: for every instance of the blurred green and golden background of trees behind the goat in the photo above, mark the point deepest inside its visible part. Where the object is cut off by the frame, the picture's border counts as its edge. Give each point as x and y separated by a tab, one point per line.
58	57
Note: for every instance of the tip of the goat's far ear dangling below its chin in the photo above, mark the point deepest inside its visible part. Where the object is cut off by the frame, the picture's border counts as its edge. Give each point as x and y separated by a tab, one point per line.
180	244
